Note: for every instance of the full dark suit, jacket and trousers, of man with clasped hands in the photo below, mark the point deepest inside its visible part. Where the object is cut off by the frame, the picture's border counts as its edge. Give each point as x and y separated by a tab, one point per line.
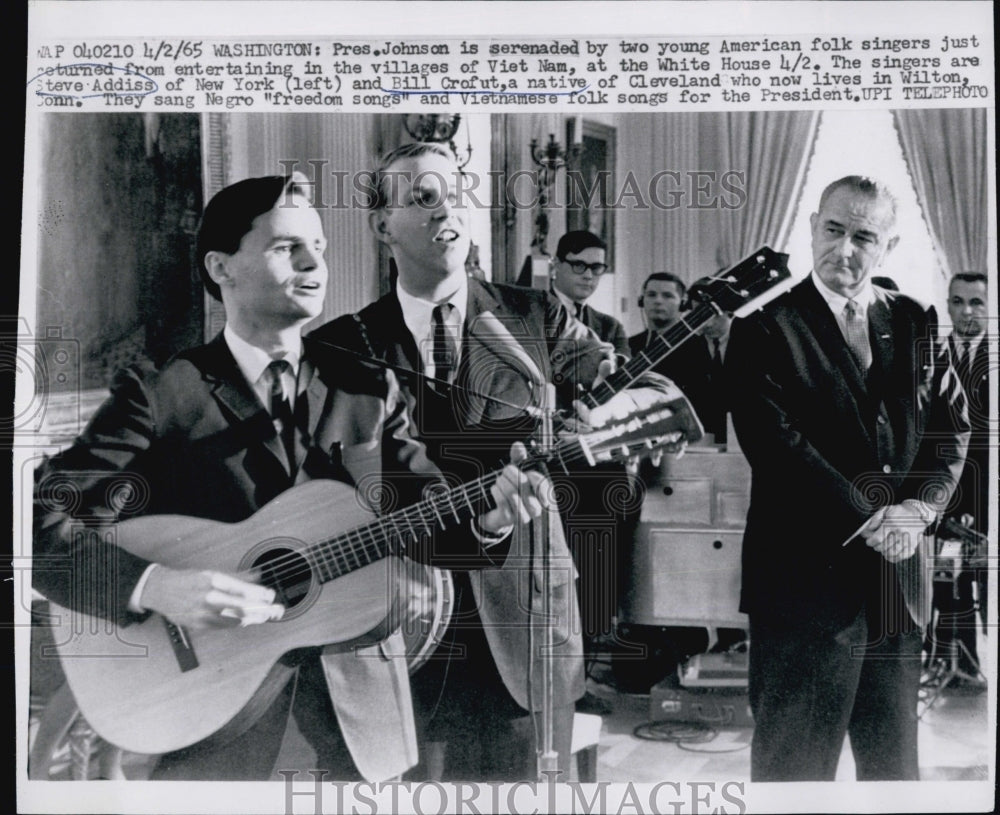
827	446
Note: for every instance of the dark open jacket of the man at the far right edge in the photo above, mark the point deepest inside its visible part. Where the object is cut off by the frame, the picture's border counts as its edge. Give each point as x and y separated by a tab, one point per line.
973	495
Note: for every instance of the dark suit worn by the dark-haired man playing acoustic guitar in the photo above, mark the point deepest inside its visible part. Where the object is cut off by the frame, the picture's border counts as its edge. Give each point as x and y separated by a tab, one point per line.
198	442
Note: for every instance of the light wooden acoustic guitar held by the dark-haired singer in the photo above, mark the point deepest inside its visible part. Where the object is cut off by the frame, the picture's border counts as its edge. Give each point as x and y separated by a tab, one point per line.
155	687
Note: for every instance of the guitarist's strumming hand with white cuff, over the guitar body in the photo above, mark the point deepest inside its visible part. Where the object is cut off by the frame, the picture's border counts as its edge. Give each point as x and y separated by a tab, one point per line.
204	599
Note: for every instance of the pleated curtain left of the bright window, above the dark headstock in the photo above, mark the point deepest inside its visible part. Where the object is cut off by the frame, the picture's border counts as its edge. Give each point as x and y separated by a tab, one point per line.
772	151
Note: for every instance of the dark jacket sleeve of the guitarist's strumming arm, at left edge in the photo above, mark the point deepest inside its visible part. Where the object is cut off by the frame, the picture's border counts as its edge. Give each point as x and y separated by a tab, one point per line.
78	495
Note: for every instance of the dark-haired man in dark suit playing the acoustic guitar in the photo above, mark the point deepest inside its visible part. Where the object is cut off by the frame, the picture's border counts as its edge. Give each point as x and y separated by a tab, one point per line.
218	432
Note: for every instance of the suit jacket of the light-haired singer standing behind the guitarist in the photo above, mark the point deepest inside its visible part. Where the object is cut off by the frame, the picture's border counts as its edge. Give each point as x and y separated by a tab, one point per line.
512	335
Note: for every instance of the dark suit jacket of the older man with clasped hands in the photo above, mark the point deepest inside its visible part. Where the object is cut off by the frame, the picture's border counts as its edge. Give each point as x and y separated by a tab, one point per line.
827	448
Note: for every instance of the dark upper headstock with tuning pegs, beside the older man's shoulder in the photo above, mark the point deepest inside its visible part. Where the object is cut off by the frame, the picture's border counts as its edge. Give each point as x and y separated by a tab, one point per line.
741	289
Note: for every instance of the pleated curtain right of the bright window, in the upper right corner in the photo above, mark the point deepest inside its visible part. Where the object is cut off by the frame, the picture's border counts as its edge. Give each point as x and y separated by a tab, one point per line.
945	151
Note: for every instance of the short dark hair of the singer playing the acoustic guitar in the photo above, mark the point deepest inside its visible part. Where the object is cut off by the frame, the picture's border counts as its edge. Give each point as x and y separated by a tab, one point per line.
233	209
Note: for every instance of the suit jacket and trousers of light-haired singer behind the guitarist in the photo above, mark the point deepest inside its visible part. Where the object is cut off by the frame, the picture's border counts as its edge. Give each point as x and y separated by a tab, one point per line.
466	434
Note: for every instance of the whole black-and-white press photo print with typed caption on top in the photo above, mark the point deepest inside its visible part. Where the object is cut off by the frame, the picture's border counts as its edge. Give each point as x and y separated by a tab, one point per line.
565	458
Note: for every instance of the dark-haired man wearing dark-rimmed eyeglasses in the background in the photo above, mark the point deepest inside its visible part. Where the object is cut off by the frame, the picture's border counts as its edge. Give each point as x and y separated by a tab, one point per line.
579	263
